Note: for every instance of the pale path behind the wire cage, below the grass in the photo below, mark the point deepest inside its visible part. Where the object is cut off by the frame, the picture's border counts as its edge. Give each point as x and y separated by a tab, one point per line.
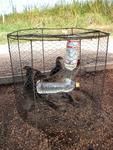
51	49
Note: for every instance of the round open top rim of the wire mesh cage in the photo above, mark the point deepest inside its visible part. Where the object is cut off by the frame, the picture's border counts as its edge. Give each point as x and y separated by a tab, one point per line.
87	34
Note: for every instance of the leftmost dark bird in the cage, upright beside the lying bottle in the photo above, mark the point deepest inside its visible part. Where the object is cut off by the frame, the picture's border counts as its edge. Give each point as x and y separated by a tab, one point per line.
27	94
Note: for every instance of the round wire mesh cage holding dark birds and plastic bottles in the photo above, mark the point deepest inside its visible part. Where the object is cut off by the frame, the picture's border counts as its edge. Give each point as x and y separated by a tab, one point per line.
38	50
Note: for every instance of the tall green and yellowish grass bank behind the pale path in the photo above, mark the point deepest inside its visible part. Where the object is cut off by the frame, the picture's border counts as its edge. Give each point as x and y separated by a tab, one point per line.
95	14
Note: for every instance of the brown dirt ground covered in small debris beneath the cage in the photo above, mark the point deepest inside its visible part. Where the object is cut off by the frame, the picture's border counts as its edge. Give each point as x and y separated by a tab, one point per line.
69	126
